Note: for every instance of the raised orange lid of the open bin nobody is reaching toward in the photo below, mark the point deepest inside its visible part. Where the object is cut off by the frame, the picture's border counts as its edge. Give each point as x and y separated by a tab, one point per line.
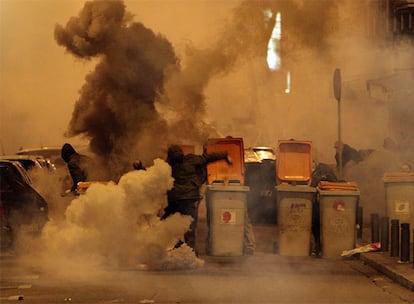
294	161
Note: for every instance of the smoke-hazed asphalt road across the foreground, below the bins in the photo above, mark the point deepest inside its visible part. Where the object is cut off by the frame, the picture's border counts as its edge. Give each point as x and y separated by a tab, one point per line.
262	278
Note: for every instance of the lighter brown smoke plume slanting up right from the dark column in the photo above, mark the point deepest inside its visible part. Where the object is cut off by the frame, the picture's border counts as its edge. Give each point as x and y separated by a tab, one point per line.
245	35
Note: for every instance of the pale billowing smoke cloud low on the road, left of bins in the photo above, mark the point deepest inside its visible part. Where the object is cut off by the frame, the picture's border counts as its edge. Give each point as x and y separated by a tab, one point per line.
118	225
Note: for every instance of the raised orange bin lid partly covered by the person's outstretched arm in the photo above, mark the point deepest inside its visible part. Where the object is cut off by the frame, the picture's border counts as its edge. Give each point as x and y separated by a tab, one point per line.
220	170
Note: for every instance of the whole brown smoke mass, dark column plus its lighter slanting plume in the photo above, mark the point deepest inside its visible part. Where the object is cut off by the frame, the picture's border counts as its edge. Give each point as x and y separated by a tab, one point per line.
117	108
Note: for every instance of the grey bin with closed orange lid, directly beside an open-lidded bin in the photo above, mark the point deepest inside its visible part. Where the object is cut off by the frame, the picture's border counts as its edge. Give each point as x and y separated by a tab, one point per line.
338	210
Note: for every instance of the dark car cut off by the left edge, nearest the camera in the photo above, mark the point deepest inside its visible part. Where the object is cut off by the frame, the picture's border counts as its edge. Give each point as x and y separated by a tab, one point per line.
22	208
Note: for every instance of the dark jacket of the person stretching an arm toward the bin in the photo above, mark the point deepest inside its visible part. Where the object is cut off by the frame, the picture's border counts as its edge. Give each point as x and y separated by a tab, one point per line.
188	172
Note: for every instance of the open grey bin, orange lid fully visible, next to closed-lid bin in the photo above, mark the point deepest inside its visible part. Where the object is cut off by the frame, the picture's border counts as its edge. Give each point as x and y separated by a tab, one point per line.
294	196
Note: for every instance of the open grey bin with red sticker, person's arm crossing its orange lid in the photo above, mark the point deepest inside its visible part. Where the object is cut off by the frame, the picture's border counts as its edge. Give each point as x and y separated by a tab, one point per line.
226	199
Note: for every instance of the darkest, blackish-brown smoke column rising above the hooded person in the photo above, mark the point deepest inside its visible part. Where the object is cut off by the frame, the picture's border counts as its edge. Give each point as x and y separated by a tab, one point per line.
115	109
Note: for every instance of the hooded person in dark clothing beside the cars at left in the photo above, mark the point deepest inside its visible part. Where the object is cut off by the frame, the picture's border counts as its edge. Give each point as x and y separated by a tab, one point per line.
77	164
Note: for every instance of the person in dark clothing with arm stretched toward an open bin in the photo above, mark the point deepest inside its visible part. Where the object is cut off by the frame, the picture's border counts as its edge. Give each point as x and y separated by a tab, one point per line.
188	173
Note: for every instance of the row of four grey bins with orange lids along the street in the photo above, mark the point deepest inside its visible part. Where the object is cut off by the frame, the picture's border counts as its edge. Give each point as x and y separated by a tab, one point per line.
291	203
